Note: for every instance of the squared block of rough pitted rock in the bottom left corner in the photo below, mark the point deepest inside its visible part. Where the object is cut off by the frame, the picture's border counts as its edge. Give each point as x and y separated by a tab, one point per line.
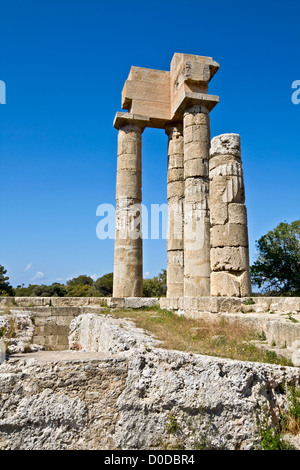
60	405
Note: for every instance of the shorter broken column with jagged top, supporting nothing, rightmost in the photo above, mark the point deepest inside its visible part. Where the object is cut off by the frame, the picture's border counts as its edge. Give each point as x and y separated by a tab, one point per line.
229	233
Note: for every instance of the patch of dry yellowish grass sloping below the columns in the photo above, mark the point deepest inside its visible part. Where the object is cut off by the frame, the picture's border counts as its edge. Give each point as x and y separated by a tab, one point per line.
214	337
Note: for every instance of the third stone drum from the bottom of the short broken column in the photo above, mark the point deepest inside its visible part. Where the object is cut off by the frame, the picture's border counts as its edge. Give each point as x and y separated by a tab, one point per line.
229	235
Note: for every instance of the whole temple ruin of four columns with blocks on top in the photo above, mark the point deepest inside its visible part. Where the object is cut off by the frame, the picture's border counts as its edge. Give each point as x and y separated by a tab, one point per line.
207	244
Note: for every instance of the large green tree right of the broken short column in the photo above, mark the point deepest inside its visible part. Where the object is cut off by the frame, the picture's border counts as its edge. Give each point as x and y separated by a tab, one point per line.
277	268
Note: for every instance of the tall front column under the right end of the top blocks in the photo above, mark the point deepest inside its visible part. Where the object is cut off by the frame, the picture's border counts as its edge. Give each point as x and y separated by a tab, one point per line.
196	131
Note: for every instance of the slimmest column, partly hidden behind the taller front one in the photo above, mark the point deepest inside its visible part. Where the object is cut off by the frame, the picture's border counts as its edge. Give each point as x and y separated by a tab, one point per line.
175	247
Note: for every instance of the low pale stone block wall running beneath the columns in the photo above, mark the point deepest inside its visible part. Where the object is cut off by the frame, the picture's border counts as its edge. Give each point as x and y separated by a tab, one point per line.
278	317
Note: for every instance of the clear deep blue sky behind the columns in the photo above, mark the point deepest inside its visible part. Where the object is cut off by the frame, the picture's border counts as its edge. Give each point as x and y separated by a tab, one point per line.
64	63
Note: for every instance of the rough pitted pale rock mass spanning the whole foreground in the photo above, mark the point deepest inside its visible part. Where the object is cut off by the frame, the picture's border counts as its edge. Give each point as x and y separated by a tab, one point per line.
130	394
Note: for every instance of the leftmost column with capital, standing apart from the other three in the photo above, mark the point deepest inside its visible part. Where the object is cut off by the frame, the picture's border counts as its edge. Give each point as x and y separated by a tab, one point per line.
128	255
